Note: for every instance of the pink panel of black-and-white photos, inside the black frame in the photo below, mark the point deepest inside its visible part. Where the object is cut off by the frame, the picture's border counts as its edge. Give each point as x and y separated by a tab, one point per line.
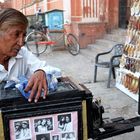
59	126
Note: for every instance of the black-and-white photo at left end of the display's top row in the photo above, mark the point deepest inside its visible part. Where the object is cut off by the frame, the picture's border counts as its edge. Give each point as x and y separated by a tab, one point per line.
22	129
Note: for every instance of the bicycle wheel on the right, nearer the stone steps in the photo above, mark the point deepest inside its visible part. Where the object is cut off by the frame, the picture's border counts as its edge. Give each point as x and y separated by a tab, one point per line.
72	44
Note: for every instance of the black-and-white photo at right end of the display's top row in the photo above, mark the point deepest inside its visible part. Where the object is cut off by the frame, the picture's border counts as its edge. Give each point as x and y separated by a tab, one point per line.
65	123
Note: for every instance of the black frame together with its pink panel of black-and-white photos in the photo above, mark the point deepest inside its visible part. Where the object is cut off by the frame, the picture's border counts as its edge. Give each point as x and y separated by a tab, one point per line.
44	125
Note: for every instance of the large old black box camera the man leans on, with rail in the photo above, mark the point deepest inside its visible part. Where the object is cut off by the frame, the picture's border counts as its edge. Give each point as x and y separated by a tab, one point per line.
70	99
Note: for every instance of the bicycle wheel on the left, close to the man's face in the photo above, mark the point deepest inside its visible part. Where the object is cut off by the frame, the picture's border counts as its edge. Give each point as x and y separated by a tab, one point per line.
36	42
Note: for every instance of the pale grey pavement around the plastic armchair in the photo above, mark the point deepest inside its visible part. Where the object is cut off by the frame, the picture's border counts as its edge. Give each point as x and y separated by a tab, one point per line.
81	68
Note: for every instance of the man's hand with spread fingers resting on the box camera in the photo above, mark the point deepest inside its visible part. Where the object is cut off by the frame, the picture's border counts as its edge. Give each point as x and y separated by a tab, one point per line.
37	83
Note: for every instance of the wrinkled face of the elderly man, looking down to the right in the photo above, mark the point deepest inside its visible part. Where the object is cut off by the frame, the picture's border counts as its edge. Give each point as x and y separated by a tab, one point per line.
12	40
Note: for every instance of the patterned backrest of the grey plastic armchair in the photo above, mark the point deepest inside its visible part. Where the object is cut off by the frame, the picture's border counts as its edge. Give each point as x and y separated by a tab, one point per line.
118	50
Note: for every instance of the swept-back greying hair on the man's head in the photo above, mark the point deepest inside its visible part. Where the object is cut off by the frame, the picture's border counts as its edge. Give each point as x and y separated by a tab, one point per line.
11	17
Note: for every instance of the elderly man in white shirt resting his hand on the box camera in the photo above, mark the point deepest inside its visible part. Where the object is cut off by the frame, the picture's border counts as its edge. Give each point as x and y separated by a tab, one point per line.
16	60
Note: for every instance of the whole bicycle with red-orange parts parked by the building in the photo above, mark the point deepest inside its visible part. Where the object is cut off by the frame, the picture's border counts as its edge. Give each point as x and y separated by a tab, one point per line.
40	39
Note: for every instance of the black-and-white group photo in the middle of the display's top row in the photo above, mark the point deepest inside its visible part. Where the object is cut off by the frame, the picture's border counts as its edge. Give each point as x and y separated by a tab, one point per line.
43	125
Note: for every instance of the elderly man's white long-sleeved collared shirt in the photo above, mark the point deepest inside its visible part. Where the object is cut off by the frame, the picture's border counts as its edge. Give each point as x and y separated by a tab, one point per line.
25	63
